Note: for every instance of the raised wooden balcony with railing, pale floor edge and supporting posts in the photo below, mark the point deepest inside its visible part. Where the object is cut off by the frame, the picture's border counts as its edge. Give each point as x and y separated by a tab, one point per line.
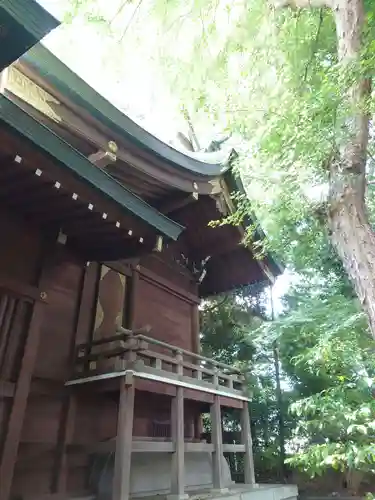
131	355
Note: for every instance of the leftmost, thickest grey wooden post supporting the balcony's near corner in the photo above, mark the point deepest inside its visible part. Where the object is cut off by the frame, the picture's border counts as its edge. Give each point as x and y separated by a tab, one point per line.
124	440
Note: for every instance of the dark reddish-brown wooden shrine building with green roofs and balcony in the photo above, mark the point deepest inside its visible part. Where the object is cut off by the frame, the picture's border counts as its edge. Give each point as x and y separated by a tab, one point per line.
106	252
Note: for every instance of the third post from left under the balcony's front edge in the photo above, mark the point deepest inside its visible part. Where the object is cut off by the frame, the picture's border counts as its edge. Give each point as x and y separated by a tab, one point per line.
217	441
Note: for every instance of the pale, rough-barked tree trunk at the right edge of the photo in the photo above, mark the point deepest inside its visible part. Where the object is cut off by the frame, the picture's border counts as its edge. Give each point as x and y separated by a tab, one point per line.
351	233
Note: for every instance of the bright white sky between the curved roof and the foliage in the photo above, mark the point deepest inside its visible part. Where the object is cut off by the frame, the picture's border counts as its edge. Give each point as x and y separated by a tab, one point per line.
123	68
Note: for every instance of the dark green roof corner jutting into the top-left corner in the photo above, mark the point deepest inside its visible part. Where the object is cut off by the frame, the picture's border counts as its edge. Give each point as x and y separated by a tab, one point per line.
23	23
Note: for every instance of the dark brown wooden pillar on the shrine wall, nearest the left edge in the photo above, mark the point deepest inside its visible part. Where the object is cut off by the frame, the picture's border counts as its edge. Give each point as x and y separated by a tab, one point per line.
14	429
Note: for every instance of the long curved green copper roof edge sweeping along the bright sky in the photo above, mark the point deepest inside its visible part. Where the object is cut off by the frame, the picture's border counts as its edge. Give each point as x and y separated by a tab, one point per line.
60	77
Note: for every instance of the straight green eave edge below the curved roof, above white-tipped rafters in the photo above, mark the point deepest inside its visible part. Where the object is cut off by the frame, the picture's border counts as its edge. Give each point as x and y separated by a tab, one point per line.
47	141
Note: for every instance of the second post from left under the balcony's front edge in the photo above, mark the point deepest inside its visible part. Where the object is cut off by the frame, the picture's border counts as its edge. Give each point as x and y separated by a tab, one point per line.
178	457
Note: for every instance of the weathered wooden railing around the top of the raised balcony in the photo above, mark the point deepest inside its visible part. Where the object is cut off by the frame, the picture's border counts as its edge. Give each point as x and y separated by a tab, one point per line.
142	353
